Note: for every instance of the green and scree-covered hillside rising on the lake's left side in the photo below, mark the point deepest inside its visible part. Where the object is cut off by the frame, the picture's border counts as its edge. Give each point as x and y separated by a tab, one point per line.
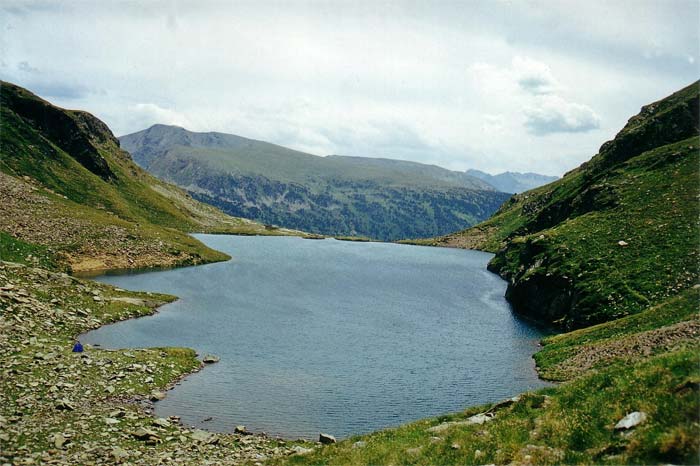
58	165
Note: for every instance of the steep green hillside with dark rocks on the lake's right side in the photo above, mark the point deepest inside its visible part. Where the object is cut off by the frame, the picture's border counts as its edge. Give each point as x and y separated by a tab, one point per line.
613	236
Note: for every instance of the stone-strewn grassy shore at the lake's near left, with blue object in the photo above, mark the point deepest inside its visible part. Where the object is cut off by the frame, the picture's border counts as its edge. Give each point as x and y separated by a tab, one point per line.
59	407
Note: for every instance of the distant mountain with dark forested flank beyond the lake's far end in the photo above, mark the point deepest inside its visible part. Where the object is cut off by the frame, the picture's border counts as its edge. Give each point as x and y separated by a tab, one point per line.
377	198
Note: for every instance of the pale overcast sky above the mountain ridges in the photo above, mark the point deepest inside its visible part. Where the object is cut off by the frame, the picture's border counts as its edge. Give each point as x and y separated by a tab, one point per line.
493	85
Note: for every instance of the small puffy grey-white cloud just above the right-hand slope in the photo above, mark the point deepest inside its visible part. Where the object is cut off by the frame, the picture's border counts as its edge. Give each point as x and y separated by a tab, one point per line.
553	114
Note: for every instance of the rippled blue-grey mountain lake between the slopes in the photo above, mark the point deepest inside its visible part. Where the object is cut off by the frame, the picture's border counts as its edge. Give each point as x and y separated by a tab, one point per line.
332	336
